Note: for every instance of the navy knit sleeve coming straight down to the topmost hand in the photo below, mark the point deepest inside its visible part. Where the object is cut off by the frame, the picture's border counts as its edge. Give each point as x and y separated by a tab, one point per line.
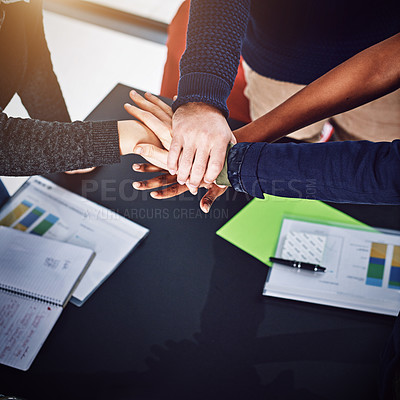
209	65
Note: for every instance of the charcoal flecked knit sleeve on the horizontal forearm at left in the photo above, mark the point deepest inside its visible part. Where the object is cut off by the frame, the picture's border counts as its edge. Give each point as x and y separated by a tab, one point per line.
31	147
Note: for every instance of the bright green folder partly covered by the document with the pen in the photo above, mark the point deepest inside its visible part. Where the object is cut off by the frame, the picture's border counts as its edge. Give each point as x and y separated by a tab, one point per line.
255	229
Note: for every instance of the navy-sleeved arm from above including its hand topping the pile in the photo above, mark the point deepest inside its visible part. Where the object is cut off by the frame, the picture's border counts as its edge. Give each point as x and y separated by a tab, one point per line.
208	68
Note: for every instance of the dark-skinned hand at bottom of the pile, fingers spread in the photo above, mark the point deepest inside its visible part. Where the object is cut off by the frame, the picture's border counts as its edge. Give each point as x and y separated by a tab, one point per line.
175	189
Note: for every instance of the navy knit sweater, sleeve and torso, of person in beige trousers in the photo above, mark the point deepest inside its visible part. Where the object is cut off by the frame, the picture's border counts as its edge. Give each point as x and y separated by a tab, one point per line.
287	40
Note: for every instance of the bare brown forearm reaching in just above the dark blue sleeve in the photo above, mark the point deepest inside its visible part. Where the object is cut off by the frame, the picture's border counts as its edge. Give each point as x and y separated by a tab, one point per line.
363	78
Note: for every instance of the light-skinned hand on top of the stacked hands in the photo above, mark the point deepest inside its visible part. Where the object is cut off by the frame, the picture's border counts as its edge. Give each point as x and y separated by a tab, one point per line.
200	136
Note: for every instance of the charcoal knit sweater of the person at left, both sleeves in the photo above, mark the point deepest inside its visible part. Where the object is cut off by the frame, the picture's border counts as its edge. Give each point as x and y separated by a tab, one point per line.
37	146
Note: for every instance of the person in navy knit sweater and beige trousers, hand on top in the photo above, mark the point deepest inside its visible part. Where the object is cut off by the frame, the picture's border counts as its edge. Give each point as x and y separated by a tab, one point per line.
286	43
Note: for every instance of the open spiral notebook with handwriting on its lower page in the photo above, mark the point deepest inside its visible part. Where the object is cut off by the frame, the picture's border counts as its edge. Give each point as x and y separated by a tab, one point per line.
37	278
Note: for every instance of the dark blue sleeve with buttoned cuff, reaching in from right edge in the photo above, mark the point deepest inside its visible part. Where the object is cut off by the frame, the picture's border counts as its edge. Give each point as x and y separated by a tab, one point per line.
341	172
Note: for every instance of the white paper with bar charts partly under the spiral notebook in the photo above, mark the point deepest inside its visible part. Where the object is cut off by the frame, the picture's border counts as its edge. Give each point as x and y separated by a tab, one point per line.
45	209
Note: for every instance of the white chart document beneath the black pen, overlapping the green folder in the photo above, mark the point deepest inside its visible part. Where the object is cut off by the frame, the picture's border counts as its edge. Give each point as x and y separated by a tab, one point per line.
362	268
